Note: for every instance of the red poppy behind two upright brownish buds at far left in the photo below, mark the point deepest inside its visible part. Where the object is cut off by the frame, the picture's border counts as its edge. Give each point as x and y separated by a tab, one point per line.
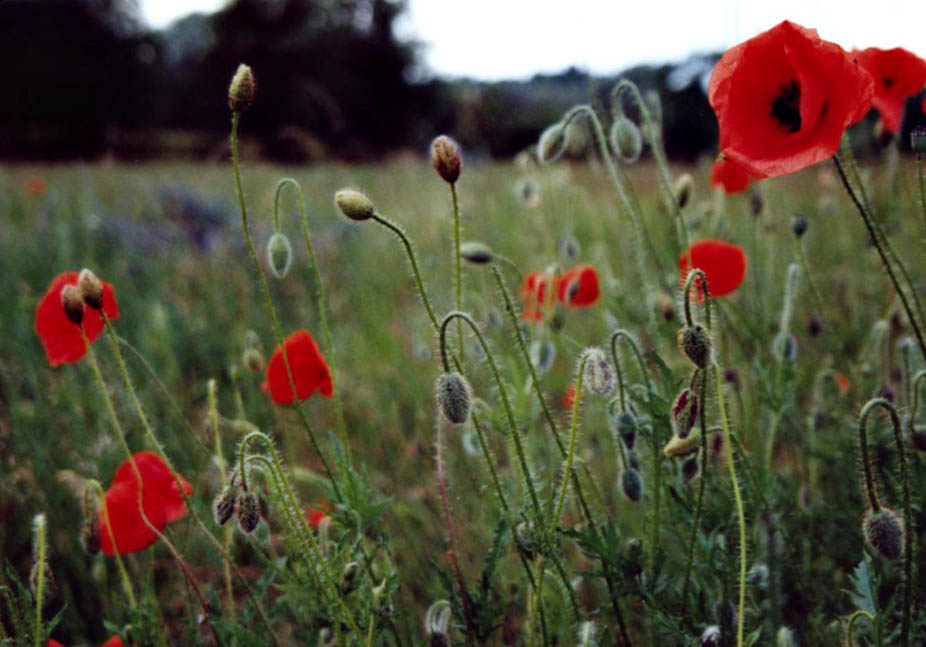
61	336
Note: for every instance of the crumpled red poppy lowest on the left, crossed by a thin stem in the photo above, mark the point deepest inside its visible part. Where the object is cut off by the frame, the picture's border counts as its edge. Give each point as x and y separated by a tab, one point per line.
162	501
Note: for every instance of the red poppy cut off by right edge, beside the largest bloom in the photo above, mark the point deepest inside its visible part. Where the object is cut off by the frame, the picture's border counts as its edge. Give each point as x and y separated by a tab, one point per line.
897	74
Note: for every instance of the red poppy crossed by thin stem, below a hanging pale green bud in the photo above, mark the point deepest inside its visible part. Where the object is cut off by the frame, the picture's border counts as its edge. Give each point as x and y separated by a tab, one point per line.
310	370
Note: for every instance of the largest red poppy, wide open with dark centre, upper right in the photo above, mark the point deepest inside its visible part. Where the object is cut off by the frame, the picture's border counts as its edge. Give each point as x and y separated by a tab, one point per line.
784	98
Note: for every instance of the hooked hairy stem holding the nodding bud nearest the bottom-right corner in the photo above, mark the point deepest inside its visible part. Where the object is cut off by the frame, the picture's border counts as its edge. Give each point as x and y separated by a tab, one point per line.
907	506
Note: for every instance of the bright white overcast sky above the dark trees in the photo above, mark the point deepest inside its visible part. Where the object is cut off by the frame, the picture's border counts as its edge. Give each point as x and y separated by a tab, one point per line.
499	39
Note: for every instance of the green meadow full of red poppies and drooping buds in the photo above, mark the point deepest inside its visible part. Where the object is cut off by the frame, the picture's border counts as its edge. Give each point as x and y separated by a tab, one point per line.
582	398
